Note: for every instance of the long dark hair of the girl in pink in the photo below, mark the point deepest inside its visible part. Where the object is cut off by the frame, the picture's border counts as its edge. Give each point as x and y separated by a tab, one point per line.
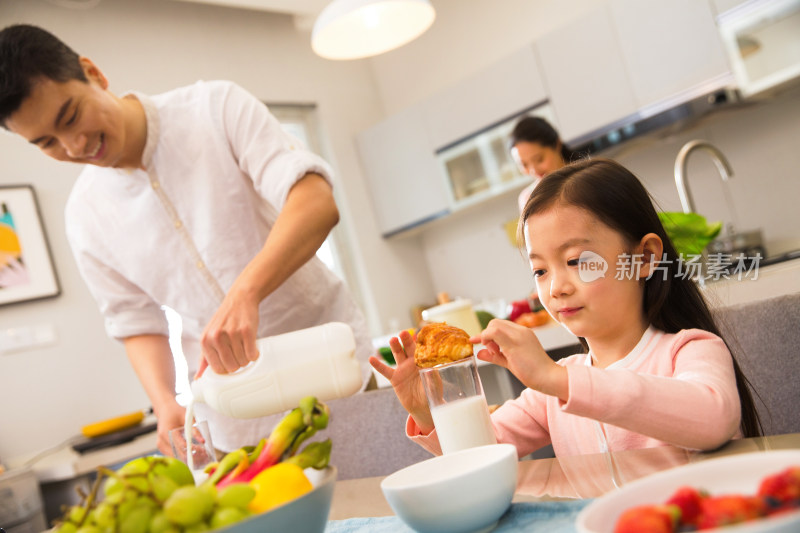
672	301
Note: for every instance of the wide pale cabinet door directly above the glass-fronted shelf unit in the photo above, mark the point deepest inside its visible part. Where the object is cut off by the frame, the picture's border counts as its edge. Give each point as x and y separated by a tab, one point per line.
501	90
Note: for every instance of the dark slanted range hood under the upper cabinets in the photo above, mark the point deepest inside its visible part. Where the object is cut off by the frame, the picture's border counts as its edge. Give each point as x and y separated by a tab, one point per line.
674	112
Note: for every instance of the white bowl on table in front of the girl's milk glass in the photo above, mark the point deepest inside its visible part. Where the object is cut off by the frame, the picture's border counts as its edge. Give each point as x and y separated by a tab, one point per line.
462	492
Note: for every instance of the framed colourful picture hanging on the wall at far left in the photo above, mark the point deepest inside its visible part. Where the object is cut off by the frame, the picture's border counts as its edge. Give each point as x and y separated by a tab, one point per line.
26	266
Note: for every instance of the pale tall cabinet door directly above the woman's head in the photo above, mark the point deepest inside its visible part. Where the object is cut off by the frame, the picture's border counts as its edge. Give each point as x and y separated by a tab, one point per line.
586	77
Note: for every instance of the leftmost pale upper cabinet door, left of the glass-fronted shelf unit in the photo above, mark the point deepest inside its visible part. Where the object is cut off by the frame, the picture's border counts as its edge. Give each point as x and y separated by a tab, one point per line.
405	179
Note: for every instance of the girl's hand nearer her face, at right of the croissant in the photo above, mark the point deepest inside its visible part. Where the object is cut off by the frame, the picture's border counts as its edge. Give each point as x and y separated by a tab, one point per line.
518	349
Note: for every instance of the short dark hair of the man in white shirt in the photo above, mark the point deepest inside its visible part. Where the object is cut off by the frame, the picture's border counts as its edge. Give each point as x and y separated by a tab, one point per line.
28	53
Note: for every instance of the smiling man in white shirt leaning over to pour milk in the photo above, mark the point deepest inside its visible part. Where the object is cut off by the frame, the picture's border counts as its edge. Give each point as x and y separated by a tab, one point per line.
194	199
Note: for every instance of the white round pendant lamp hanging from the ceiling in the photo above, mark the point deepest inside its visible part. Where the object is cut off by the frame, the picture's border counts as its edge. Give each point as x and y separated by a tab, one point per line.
352	29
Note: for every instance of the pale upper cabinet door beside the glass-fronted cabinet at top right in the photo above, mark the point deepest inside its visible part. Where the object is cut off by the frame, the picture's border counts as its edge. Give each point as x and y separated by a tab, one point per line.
669	48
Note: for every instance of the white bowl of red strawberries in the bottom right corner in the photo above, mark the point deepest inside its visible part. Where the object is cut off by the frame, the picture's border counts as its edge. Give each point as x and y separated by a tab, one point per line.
754	493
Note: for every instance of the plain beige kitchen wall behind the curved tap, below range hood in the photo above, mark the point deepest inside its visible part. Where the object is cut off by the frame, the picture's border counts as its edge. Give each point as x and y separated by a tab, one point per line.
760	141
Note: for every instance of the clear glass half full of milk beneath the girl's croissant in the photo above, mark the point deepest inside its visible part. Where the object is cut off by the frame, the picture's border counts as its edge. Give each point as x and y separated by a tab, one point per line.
458	406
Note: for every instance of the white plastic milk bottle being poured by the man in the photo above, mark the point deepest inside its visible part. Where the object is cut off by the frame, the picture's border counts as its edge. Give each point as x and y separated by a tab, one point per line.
318	361
